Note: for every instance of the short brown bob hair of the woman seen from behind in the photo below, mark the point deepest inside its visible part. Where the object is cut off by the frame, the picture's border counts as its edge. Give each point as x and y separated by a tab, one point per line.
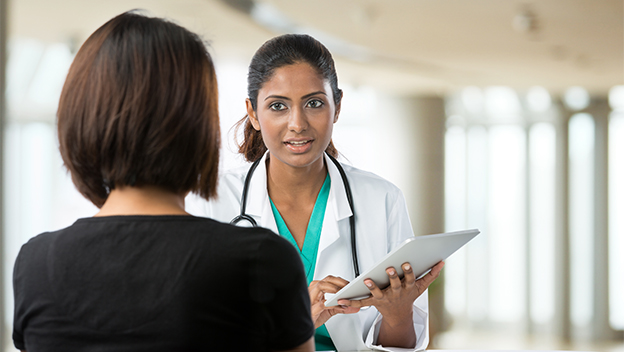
139	108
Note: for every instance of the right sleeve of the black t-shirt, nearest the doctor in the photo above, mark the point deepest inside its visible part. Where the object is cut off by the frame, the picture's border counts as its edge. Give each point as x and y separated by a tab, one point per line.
279	284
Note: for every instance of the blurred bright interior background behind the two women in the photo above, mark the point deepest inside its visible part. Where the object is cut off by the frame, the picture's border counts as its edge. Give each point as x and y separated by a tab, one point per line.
507	116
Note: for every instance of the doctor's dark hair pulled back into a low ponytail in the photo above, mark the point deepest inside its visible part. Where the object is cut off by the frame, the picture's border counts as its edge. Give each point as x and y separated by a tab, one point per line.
281	51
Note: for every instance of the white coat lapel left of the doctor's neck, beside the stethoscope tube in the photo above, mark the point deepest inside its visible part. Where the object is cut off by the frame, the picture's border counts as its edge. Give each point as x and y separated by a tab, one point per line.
258	204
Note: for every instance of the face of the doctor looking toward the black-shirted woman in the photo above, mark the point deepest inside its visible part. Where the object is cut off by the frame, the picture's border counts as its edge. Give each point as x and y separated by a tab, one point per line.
295	114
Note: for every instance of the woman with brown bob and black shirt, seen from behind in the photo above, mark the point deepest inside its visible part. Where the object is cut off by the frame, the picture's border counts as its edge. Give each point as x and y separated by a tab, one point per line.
138	128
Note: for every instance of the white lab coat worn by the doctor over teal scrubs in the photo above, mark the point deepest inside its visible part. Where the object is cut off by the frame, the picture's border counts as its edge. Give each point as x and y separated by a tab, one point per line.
382	223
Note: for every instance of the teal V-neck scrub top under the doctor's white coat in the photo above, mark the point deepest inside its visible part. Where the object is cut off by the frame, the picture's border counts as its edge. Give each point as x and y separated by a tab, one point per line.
310	249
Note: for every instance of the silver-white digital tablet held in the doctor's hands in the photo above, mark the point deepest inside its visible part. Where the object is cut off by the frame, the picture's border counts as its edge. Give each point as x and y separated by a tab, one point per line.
422	252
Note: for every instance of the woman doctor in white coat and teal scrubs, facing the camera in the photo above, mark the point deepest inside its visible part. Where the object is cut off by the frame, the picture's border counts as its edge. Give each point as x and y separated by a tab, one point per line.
296	190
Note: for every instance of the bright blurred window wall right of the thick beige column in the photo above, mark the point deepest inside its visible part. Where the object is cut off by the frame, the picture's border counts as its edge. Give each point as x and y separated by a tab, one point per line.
503	166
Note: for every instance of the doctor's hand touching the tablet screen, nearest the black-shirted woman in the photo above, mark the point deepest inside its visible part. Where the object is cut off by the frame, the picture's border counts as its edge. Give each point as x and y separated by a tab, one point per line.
317	290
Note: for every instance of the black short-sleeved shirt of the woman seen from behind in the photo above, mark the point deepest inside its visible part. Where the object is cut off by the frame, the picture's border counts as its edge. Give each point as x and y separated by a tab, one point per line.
156	283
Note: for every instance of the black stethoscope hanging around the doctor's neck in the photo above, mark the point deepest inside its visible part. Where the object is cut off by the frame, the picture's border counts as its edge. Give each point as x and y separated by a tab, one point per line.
244	217
